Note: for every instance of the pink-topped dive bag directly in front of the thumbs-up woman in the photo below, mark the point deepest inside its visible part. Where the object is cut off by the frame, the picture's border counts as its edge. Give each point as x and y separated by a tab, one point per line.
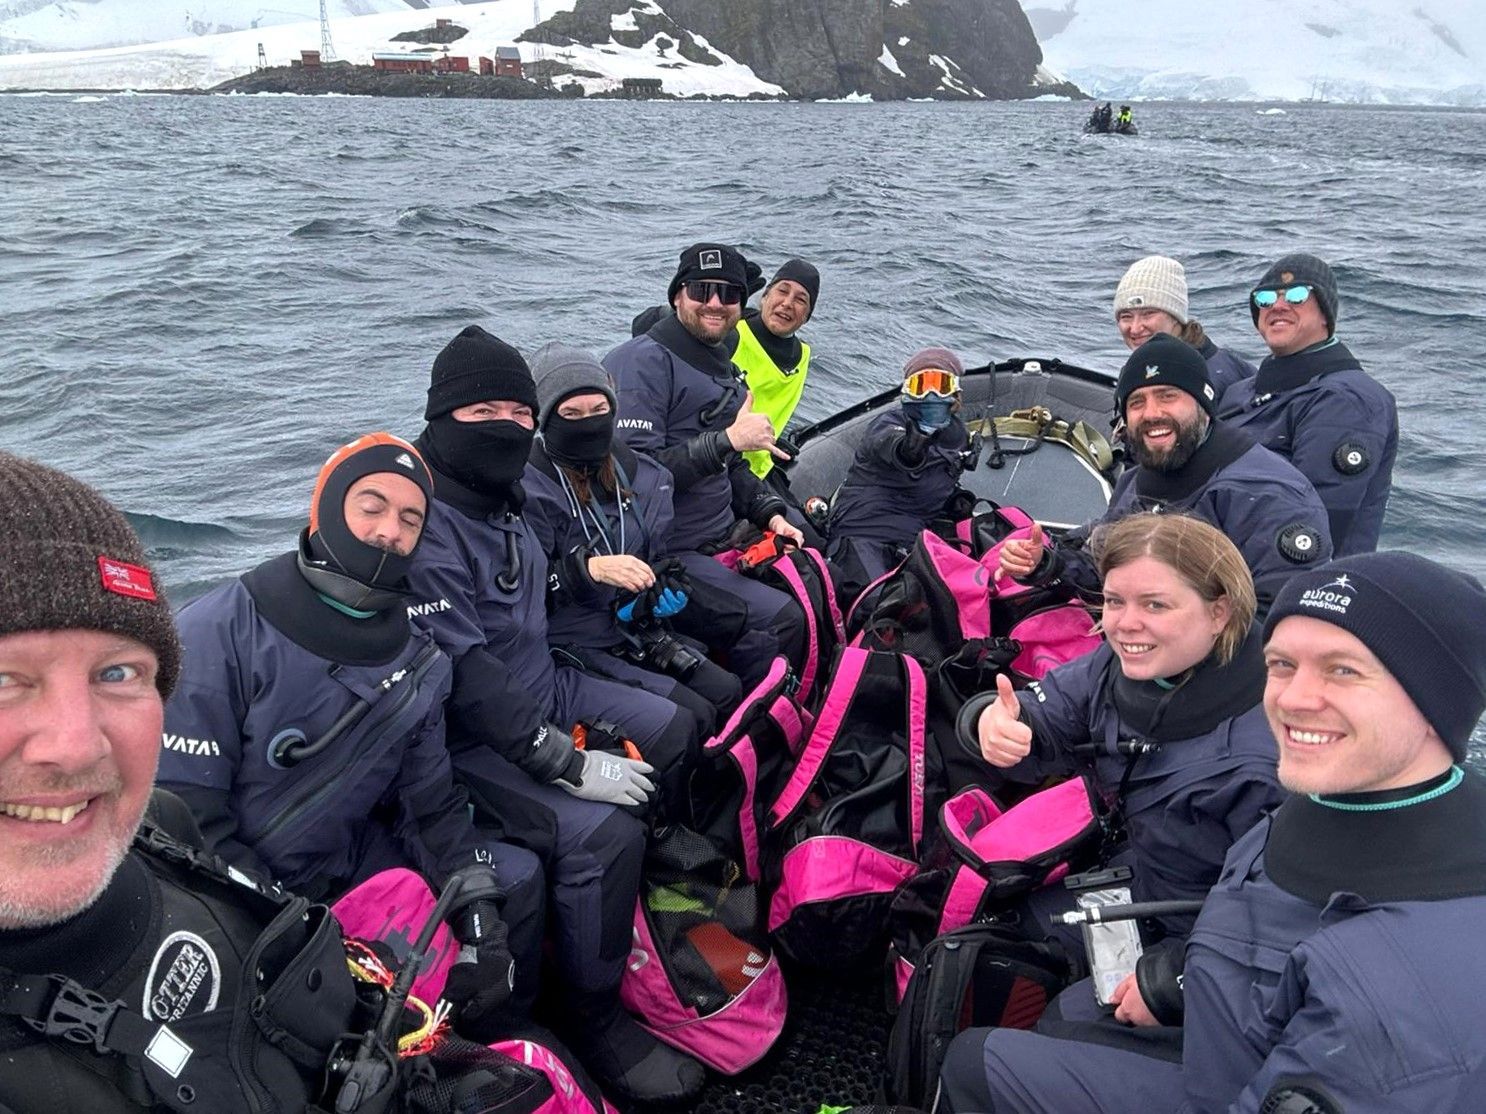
987	859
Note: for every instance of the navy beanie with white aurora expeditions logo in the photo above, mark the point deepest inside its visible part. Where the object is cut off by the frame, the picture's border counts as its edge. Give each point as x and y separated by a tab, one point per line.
1424	623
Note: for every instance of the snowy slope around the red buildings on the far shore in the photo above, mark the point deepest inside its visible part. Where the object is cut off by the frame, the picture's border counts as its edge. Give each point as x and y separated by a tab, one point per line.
77	44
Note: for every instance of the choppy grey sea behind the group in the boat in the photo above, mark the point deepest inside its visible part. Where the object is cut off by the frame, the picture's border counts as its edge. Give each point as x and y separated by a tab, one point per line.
203	296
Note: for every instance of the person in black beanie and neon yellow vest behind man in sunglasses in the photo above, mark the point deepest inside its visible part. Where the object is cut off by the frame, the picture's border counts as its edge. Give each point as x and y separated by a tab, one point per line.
769	351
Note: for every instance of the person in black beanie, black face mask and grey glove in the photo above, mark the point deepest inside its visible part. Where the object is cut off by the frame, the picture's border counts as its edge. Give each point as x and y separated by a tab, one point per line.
481	589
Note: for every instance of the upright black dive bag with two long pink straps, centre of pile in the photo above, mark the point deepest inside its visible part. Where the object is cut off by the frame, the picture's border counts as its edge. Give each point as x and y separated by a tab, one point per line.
846	828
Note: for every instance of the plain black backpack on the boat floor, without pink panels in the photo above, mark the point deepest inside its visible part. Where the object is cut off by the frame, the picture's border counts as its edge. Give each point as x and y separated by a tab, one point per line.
983	975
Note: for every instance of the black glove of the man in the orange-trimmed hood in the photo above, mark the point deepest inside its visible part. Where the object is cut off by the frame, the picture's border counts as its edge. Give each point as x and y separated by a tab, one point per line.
482	980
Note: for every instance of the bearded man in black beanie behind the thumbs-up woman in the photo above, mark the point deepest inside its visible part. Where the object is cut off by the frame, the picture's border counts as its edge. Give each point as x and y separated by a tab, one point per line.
1185	461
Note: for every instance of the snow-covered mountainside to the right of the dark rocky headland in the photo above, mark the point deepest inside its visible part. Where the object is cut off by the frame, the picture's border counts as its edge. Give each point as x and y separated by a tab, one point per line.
1360	51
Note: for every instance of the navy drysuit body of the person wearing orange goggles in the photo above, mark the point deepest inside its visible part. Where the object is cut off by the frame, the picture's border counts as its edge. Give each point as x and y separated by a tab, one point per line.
900	481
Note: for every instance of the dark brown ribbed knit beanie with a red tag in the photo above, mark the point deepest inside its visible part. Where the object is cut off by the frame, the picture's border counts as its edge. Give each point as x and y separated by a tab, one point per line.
72	562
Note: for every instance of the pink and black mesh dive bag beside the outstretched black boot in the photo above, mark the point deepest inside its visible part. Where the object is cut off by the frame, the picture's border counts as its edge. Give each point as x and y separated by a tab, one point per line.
702	975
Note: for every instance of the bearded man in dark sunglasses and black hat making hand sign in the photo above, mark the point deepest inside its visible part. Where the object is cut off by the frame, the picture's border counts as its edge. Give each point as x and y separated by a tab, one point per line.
684	403
